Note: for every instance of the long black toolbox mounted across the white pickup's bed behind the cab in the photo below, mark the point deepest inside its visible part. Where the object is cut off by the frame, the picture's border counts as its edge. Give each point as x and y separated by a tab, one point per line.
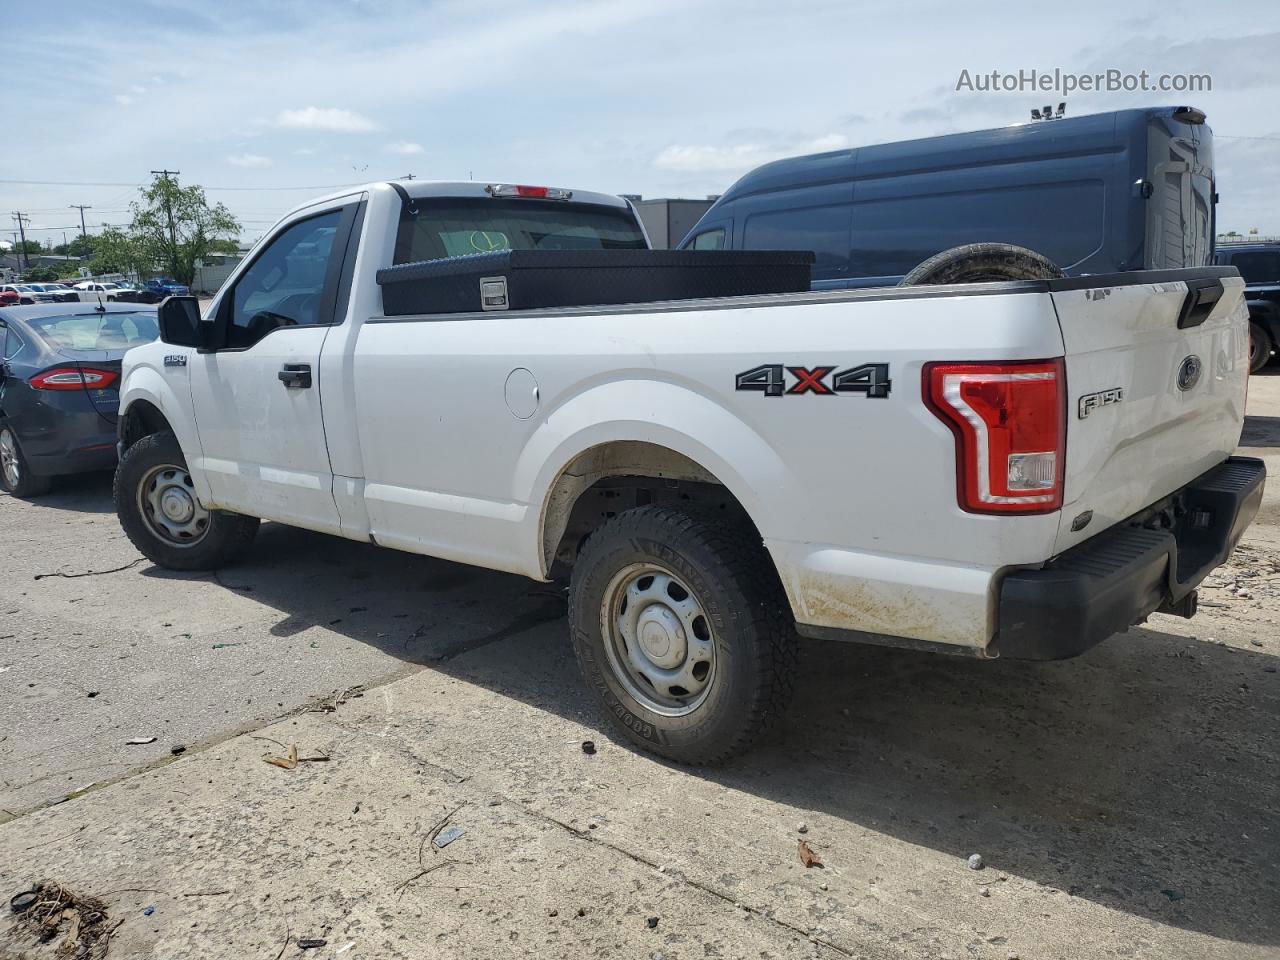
527	280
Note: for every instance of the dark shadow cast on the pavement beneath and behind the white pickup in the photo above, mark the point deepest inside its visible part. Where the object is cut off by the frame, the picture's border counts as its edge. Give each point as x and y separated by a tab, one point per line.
1141	776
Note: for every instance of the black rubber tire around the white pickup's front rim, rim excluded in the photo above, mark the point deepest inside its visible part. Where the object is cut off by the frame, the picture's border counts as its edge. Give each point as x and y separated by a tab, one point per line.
223	538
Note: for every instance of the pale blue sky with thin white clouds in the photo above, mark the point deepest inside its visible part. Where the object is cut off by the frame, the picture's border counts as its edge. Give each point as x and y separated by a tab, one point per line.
267	103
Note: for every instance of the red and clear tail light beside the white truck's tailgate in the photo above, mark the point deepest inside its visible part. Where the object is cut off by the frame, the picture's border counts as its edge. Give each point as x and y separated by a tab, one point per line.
1009	420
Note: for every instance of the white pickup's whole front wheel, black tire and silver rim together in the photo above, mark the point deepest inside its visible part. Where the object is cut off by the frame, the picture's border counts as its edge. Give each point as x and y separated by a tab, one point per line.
158	508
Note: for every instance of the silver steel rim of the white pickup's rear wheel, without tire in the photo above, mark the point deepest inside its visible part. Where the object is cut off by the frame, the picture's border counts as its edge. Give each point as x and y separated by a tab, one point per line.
657	639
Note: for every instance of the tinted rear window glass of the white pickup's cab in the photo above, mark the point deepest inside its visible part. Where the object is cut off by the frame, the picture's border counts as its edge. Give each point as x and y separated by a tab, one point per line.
450	228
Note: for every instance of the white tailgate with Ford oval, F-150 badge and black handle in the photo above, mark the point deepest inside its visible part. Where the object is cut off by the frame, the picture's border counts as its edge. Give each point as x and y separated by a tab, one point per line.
1156	376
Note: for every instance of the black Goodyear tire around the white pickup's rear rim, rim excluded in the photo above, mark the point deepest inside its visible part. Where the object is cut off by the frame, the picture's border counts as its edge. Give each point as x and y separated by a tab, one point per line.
752	633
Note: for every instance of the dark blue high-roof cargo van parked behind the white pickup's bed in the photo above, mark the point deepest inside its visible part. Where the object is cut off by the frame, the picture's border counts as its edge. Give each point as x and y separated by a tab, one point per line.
1130	190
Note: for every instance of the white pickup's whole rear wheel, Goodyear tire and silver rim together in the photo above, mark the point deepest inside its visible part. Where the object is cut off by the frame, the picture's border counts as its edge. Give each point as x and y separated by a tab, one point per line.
682	629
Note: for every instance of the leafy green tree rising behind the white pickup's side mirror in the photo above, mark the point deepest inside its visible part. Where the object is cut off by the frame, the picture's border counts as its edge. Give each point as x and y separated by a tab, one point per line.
176	226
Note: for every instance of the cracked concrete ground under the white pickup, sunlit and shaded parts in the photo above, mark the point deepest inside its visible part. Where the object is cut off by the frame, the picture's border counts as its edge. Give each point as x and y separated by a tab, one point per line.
1123	803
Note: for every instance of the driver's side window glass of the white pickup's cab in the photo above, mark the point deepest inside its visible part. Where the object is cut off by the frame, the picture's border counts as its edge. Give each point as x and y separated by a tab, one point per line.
286	284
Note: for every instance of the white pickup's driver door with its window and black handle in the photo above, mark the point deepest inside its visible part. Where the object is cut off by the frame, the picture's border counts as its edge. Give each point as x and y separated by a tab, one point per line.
258	395
